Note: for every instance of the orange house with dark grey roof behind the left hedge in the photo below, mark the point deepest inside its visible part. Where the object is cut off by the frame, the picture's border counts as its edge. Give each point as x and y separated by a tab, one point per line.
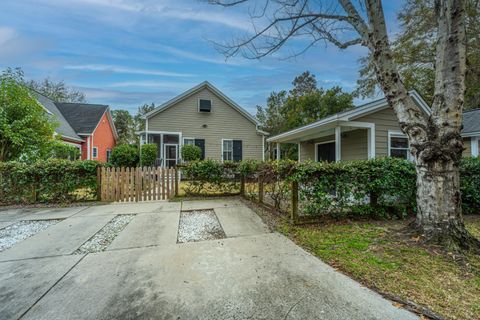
89	127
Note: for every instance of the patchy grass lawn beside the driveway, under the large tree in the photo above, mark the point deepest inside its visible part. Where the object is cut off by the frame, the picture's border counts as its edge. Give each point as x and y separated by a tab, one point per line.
381	256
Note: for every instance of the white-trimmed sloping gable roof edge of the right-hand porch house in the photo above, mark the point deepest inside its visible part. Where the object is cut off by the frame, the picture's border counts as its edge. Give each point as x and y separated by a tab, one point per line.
350	115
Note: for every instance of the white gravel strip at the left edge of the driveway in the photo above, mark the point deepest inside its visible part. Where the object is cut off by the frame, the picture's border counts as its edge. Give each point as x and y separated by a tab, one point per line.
22	230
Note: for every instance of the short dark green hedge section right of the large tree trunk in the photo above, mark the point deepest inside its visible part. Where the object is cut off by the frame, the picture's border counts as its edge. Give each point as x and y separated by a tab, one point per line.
470	184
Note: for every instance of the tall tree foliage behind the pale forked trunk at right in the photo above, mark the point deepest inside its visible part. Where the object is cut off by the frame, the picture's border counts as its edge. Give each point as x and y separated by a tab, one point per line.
415	48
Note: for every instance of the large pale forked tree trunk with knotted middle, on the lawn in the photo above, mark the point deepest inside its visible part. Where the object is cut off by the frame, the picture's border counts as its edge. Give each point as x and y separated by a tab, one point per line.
435	141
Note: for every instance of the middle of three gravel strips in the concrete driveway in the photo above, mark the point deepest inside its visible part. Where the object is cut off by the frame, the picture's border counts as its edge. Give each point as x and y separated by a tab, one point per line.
102	239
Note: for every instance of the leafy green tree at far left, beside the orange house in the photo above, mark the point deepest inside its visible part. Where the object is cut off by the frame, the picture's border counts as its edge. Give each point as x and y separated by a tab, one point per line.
26	129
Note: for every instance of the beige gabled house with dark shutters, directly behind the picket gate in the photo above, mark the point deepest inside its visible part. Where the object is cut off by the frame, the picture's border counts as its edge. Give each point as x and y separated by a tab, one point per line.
205	117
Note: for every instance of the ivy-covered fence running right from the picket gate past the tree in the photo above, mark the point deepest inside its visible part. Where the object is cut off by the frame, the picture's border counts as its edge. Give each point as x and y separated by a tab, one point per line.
381	187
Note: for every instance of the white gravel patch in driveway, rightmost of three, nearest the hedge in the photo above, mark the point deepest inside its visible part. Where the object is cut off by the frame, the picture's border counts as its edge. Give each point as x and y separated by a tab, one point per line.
199	225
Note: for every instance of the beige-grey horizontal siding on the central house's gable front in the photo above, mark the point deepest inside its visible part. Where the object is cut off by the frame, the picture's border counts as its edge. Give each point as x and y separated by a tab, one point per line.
224	122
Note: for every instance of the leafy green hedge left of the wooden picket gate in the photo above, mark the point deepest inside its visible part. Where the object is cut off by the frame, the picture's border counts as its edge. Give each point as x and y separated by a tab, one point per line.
52	180
